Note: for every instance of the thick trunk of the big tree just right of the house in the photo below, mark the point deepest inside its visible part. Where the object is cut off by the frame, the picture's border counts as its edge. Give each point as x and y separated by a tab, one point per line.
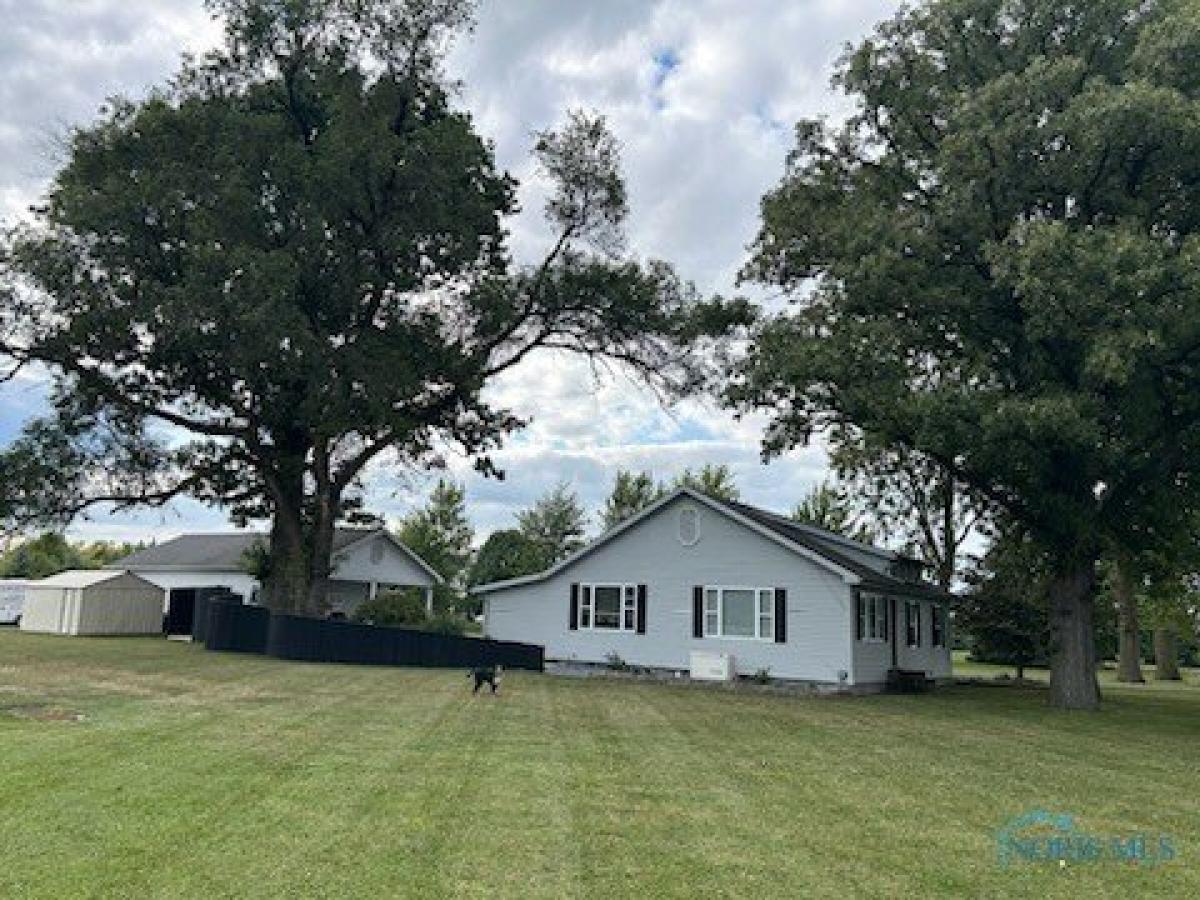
1073	683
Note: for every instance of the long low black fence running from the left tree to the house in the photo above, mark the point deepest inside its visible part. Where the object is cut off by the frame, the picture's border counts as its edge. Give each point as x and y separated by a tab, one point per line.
253	629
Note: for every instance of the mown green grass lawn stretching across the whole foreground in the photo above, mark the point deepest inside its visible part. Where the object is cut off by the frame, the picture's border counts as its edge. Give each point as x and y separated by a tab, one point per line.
213	776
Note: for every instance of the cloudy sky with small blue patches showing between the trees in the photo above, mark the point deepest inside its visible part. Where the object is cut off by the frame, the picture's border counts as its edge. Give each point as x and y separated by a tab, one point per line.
703	95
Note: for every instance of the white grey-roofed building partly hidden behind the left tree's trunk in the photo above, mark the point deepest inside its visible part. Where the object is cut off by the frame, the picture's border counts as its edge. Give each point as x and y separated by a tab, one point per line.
365	562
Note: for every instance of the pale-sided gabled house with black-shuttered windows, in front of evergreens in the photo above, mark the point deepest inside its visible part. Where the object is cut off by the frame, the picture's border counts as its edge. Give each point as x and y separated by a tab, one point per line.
694	574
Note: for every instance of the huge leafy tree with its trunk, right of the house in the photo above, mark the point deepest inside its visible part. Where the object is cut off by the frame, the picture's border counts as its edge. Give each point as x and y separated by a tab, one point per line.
997	265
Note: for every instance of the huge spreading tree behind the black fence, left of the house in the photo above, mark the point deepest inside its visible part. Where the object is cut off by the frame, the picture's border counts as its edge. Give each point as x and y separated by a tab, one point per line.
291	266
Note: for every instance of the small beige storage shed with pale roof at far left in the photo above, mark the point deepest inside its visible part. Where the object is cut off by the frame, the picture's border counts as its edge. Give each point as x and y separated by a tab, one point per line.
83	602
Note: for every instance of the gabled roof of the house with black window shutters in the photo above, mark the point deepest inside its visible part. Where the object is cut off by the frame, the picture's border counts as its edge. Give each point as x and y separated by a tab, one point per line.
812	543
